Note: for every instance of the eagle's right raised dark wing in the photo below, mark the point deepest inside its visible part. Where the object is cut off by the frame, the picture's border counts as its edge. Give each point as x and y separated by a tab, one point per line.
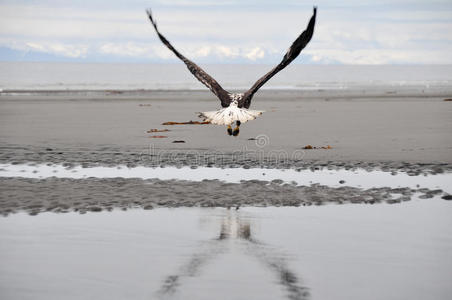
291	54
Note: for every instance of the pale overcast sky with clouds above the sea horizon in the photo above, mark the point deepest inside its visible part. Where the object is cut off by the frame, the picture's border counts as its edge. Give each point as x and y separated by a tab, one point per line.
227	31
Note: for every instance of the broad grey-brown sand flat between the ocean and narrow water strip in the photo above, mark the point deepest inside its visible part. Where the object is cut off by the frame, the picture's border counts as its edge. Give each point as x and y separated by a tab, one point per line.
113	128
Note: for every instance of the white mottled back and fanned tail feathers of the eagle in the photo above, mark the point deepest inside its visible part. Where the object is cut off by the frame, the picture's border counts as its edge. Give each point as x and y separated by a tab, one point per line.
231	114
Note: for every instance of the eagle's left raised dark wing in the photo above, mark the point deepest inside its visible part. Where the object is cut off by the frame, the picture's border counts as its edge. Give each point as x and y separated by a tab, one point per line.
199	73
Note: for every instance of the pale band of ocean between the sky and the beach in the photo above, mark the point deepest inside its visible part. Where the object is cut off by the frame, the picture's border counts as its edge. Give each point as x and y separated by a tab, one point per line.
84	76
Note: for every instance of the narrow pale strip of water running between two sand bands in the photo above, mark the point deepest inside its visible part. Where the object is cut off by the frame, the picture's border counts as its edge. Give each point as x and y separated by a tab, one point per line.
334	178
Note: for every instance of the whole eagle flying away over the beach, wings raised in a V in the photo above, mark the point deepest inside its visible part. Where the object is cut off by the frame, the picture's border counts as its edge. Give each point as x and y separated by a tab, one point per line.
235	105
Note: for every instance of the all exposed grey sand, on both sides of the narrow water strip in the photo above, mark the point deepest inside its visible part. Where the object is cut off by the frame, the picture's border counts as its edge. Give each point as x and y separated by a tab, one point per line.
409	134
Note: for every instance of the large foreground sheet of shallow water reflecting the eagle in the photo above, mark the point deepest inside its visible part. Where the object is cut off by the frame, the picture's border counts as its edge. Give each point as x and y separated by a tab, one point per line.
400	251
